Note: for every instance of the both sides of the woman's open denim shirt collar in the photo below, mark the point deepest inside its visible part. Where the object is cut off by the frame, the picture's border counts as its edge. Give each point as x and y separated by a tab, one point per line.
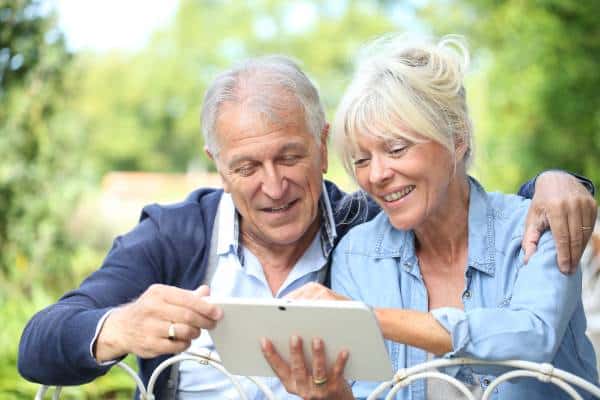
392	242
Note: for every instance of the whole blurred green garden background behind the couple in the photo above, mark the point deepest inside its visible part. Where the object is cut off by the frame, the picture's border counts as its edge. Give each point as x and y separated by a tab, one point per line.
99	113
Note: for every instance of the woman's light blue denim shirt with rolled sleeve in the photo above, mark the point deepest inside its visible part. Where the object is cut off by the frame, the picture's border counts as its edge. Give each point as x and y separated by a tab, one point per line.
511	310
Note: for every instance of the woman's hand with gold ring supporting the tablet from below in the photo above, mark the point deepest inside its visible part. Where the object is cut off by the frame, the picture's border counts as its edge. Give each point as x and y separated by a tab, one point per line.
323	383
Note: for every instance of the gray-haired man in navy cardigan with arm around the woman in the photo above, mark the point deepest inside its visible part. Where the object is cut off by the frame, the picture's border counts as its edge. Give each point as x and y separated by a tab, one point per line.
270	231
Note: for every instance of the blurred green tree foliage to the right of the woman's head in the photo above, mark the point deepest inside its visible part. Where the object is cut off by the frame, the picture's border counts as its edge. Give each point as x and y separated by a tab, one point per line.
539	88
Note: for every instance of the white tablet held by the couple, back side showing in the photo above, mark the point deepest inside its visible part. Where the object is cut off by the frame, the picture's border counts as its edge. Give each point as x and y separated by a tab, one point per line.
342	325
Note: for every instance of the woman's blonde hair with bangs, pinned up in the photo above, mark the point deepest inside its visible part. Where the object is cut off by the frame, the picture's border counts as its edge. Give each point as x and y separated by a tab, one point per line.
407	87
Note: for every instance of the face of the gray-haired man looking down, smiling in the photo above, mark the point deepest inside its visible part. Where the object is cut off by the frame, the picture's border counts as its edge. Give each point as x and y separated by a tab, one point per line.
273	171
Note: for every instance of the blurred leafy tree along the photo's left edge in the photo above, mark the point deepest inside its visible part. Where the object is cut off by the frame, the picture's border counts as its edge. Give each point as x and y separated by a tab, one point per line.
38	143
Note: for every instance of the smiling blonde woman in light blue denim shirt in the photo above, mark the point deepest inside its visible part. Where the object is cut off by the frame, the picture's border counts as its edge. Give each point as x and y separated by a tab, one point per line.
442	265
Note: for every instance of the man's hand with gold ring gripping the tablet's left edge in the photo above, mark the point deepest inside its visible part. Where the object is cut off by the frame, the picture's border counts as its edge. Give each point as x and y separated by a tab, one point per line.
143	326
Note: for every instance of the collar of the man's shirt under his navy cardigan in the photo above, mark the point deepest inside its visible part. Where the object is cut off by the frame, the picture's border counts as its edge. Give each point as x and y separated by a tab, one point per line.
229	239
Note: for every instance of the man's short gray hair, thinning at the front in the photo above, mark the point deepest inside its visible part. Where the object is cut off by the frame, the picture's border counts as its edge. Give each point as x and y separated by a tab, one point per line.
264	82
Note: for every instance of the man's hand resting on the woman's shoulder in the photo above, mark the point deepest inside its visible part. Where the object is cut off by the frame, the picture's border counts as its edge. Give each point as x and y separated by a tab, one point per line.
561	203
